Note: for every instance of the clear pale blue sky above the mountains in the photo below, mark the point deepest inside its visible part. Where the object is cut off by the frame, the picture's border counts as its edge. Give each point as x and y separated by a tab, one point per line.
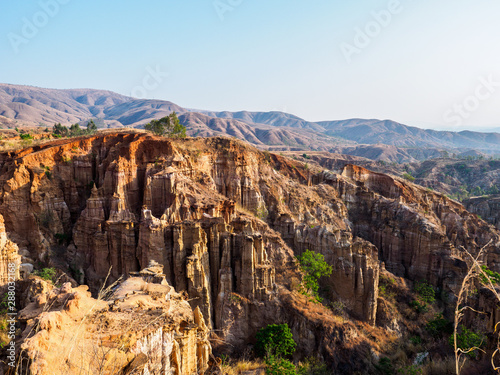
432	64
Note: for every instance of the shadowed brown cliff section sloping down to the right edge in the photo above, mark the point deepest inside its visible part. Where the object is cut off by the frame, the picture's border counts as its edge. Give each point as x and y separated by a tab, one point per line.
419	233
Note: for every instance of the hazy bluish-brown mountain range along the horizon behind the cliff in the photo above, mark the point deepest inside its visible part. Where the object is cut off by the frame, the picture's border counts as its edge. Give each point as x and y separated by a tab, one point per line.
26	105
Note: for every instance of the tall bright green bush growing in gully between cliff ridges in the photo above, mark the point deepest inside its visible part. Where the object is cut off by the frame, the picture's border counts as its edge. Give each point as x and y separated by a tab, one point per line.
314	266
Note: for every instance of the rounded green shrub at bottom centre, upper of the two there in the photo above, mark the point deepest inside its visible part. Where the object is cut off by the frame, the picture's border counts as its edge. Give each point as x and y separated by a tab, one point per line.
275	340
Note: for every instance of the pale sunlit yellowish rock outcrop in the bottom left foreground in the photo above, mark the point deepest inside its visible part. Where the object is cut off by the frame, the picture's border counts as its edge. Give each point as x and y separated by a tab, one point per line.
145	327
